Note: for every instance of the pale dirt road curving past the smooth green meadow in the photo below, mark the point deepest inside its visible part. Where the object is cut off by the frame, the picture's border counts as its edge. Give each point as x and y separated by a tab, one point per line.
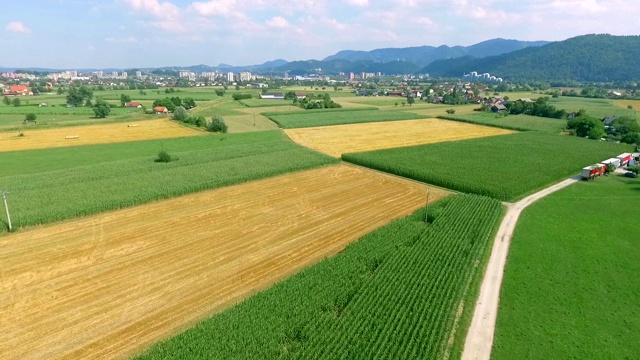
479	340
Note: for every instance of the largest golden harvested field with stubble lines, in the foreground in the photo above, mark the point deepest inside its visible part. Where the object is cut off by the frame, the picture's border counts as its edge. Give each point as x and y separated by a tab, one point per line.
109	285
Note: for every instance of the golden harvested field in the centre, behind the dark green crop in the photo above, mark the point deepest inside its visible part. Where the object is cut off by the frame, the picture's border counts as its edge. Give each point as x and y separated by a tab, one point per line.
341	139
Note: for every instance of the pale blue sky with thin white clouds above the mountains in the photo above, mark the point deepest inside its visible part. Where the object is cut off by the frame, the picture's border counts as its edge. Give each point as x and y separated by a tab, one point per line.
72	34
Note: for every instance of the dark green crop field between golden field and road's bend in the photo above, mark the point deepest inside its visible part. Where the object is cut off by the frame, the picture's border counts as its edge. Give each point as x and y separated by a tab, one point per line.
505	167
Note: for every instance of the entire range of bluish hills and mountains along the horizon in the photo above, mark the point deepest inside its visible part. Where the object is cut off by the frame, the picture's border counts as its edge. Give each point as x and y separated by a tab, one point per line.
597	58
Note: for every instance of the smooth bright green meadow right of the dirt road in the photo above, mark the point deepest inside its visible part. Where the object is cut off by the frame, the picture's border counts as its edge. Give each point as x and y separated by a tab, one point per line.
571	284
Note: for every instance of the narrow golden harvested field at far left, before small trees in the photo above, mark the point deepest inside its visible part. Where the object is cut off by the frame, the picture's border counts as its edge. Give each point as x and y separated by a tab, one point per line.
93	134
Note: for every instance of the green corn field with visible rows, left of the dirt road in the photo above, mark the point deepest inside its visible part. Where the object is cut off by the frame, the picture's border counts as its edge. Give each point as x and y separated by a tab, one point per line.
394	294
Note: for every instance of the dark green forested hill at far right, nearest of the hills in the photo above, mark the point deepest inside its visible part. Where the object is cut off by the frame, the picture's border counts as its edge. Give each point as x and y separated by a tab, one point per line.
598	58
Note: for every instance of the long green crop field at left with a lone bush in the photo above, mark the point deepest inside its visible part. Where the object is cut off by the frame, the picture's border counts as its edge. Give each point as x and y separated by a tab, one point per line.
133	180
